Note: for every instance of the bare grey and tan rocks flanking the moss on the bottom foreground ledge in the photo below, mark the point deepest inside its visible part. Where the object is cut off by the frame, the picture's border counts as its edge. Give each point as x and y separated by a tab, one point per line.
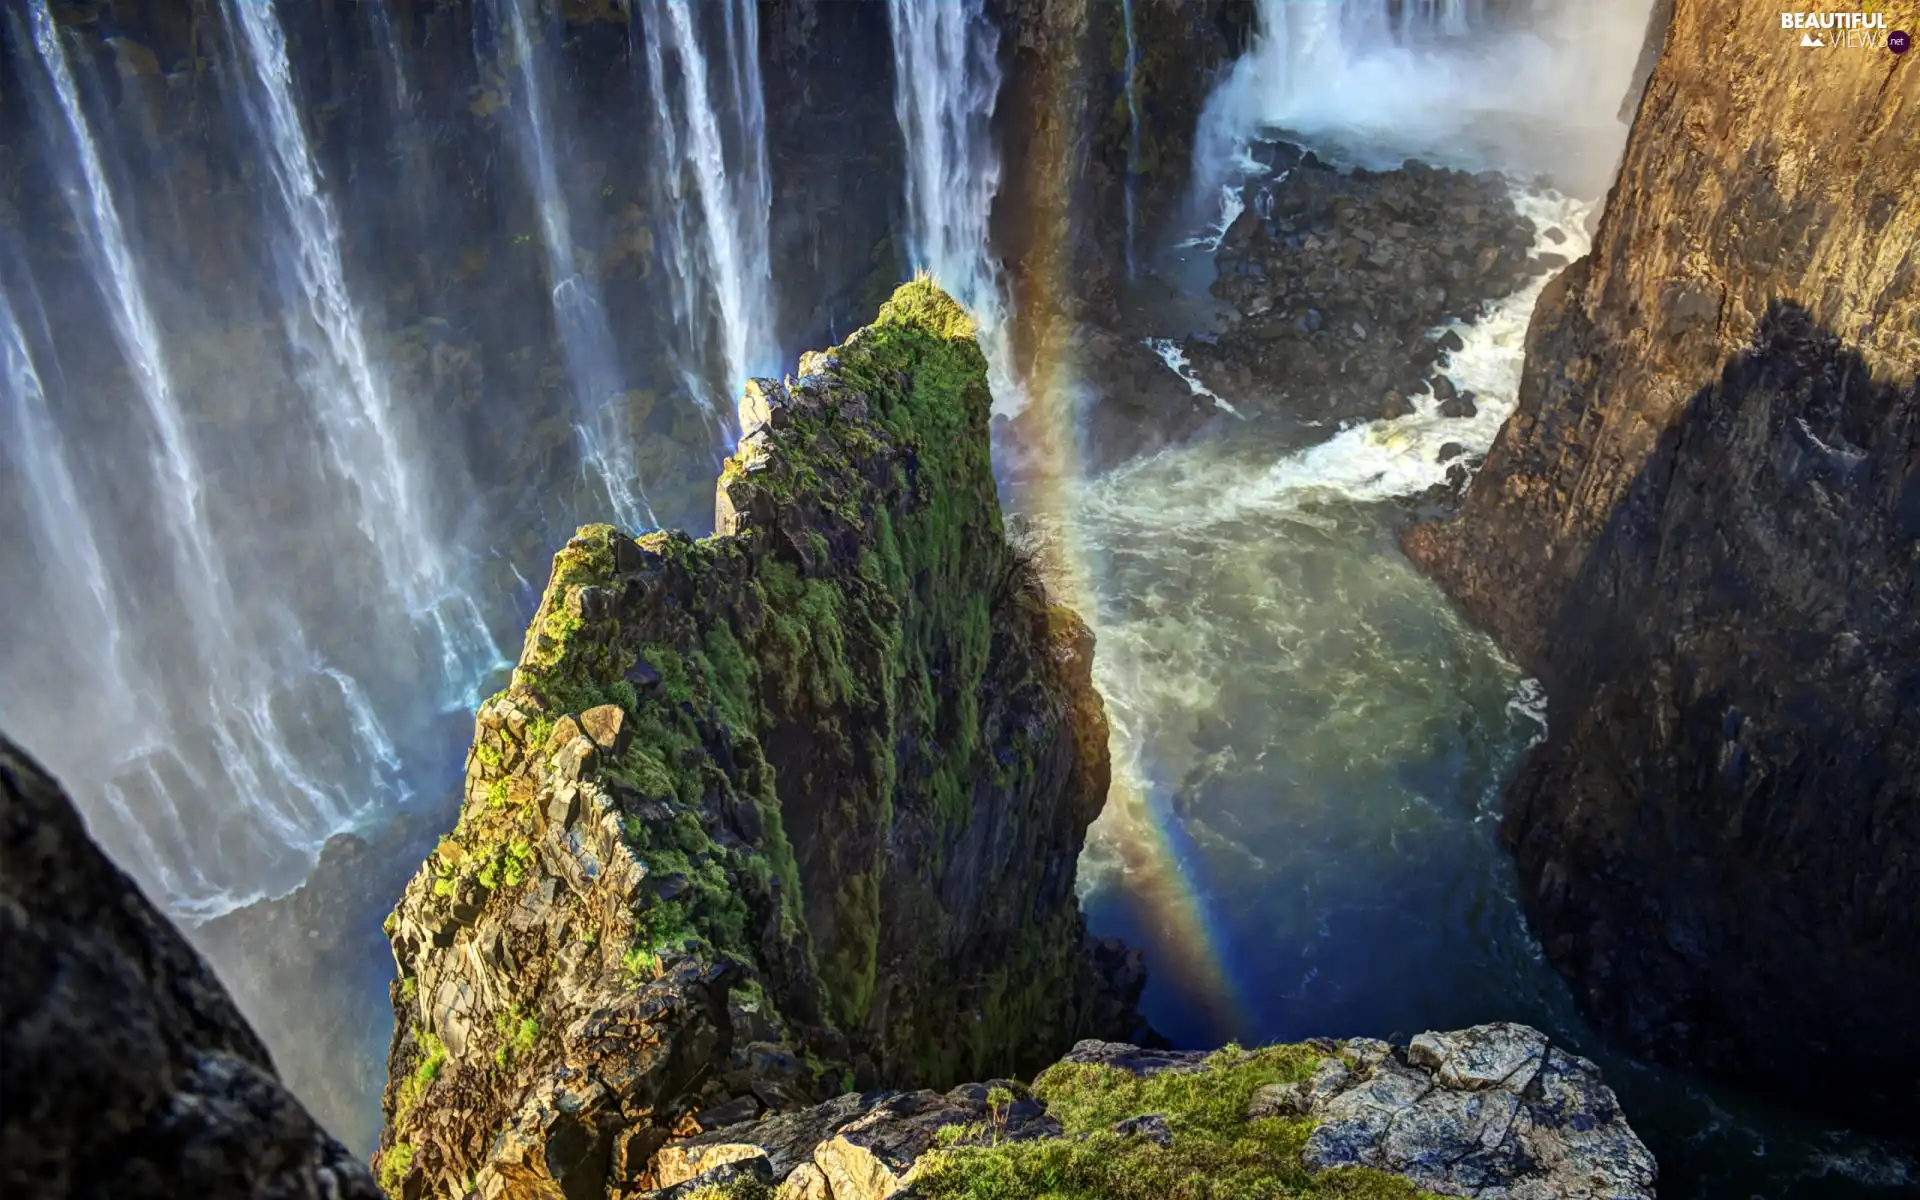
1491	1113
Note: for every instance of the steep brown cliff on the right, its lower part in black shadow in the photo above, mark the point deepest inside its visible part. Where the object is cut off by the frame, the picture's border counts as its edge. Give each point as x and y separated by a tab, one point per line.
1700	529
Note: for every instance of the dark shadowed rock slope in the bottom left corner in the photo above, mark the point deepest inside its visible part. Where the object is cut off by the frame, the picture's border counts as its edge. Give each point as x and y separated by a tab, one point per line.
128	1070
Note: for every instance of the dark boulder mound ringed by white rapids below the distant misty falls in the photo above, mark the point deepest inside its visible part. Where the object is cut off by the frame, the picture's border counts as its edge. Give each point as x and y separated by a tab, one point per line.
1339	279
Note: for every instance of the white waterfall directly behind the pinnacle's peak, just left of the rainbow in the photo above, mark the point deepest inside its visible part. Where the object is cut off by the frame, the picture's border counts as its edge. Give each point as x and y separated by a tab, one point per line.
946	87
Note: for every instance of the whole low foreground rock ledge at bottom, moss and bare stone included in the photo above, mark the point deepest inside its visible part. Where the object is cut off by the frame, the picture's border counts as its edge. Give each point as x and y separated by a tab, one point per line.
1493	1113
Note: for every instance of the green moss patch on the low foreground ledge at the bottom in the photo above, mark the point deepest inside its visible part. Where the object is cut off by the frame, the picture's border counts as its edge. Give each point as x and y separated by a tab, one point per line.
1216	1155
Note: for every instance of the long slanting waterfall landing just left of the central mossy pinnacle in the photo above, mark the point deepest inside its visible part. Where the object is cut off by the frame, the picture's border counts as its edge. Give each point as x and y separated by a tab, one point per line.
343	383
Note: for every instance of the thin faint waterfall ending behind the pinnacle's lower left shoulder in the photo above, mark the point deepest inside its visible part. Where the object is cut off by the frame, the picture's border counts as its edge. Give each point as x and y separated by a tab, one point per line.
587	339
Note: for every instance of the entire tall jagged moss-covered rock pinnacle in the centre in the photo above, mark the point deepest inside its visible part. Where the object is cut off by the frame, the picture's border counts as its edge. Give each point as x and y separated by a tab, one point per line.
769	815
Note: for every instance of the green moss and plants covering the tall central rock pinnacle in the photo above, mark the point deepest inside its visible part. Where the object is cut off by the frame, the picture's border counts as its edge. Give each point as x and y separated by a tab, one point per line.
857	635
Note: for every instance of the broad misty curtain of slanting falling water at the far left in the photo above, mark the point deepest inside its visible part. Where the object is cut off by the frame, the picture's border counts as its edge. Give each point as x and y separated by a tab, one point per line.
231	592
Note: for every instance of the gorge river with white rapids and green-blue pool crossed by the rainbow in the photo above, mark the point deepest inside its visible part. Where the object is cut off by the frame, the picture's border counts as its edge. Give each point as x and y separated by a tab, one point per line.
1308	740
